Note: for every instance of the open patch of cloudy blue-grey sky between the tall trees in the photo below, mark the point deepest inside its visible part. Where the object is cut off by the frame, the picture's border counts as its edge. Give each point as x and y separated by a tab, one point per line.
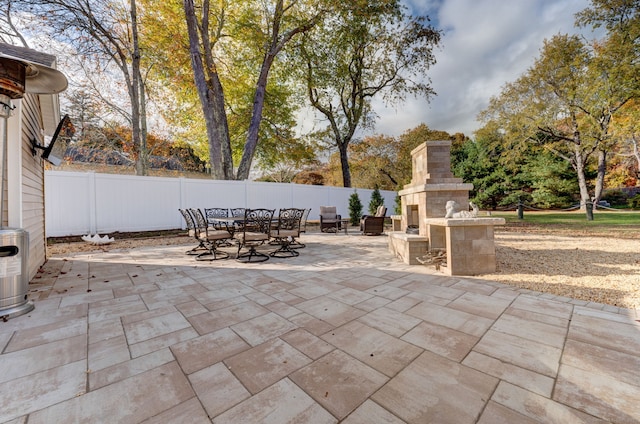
485	44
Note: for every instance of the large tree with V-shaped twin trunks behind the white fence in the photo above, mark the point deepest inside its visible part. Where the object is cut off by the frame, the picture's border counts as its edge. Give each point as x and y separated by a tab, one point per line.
270	33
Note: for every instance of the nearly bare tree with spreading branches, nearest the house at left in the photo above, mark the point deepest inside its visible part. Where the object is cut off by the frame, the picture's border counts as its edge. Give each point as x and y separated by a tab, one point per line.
104	35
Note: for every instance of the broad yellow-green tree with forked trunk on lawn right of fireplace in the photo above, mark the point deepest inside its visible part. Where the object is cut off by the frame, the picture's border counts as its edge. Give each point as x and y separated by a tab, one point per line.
564	103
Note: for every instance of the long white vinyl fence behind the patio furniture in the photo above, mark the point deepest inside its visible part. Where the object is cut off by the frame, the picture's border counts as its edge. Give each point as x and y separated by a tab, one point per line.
78	203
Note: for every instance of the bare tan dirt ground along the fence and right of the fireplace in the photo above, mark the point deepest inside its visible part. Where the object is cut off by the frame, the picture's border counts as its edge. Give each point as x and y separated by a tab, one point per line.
601	267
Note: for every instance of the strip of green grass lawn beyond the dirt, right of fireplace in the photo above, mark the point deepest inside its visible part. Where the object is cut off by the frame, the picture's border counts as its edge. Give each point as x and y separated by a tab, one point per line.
605	223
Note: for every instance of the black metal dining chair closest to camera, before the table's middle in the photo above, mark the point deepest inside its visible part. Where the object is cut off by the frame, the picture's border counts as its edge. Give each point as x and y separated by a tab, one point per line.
256	230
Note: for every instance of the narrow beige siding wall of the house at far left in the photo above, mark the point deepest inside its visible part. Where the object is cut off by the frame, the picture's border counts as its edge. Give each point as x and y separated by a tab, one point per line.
33	183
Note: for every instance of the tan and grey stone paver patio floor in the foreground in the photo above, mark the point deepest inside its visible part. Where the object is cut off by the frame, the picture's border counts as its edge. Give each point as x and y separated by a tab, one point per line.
342	333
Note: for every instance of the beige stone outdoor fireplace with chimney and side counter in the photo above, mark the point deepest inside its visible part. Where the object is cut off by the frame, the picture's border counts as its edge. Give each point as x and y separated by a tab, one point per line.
467	242
